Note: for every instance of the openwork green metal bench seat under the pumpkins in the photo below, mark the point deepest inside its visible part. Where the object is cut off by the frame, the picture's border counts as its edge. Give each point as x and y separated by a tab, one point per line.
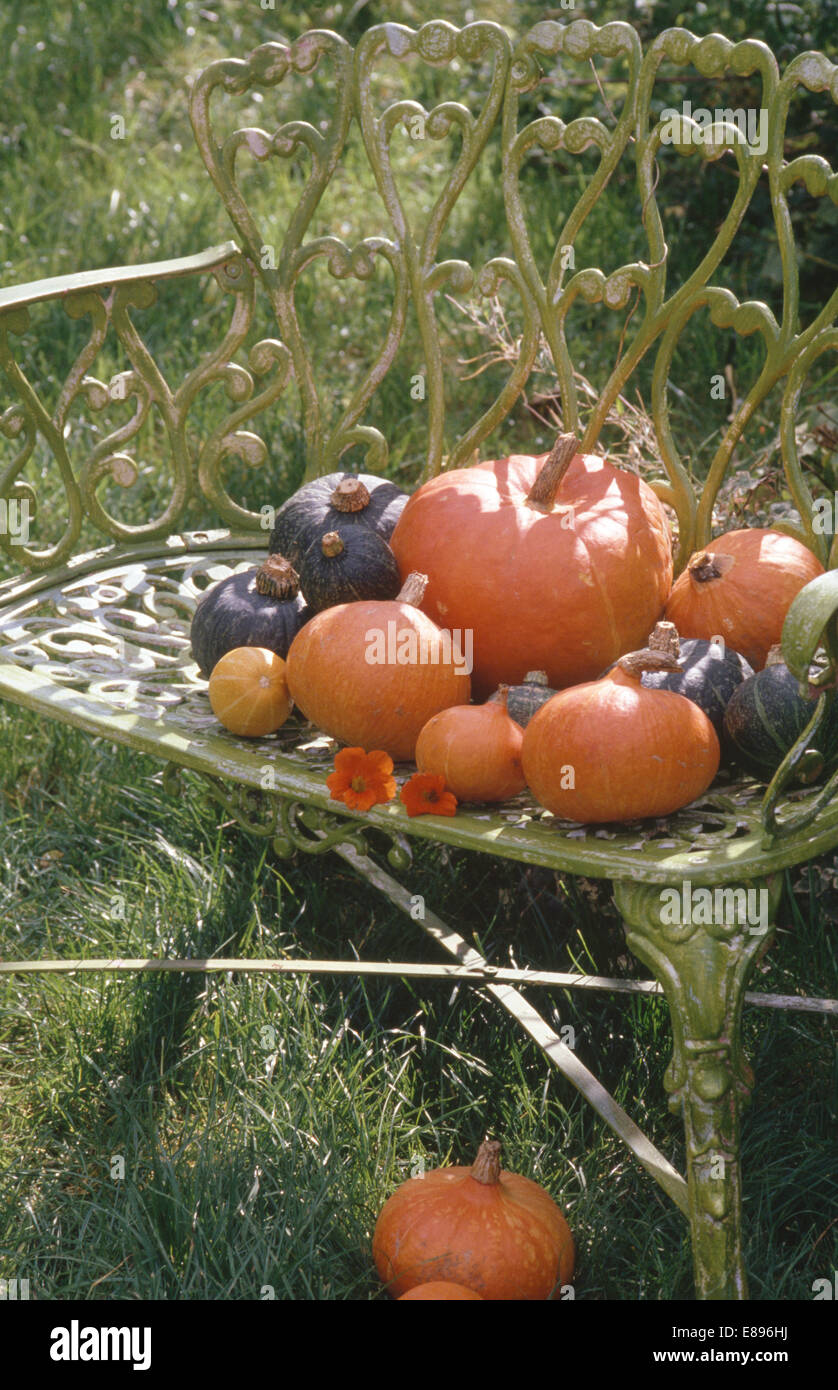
106	647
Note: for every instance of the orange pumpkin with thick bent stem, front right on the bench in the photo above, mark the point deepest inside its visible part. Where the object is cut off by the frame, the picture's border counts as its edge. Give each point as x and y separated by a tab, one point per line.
612	750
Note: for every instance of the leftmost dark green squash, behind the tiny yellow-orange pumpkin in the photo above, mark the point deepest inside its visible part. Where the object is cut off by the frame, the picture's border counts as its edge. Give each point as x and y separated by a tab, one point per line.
255	608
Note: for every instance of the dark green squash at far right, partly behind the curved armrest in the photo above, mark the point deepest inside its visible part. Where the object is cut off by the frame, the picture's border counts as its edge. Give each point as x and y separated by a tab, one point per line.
766	715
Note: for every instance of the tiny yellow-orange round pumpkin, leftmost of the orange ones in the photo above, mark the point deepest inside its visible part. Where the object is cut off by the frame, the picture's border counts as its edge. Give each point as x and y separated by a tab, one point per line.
249	692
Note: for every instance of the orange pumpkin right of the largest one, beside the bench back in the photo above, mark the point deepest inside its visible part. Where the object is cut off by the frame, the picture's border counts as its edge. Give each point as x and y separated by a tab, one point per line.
740	589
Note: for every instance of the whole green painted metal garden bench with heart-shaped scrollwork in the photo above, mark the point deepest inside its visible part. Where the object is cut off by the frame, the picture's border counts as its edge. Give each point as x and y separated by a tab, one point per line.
99	639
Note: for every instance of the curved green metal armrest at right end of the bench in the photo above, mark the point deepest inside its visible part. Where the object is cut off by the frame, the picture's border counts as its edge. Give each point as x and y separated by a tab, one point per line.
810	625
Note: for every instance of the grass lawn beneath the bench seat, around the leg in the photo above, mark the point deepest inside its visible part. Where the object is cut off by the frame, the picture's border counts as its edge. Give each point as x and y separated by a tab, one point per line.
263	1122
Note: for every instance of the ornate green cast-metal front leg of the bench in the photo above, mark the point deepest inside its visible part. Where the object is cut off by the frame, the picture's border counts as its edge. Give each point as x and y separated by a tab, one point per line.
704	971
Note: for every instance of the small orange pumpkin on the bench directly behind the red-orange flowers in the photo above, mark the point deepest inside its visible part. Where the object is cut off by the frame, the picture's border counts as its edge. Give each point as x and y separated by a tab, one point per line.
477	749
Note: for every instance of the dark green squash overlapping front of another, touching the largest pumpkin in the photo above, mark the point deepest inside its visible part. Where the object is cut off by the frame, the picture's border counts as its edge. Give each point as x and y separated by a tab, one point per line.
345	565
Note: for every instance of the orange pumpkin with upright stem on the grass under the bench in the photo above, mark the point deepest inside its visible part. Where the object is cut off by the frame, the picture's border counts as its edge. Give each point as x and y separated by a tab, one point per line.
495	1232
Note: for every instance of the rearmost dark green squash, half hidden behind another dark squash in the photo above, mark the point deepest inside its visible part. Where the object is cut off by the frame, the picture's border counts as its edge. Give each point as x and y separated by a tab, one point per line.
319	507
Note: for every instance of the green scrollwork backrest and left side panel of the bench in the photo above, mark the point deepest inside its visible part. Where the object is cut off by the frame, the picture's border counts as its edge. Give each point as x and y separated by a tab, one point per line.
547	293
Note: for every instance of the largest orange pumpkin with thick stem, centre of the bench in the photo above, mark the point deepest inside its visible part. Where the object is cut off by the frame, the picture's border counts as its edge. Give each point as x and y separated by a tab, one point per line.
558	564
